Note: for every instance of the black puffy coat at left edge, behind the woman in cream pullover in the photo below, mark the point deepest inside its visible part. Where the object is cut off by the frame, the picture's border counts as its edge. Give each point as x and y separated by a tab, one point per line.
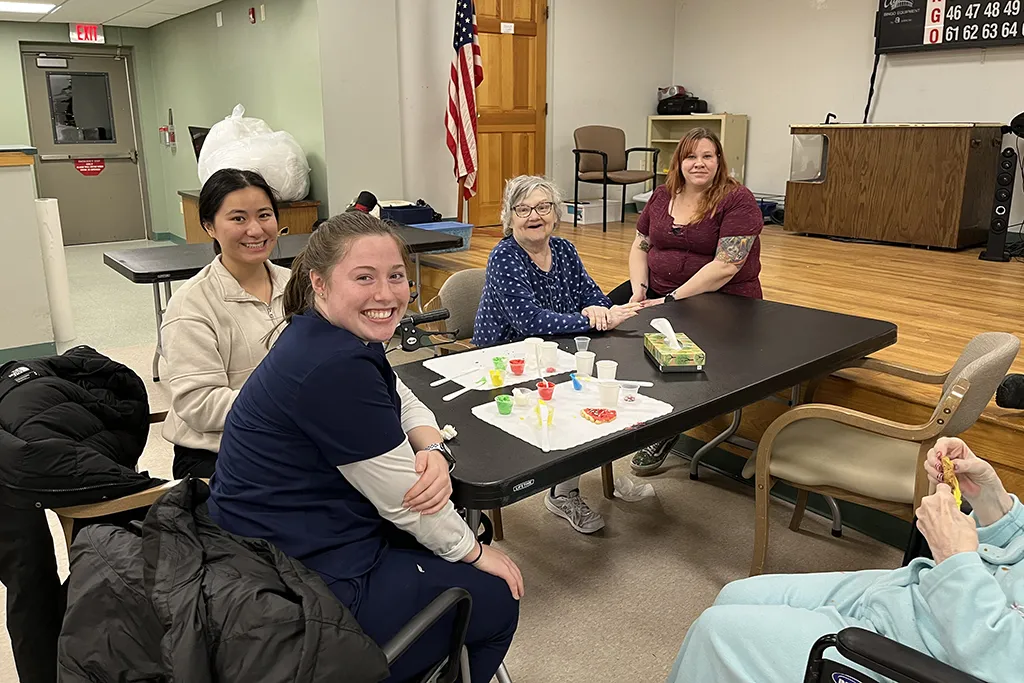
72	431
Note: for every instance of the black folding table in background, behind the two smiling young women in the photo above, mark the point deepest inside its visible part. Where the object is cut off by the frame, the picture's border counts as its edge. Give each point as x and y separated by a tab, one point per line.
163	266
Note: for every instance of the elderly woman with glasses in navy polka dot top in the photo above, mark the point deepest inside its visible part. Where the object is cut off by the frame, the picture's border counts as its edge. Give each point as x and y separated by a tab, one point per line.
536	287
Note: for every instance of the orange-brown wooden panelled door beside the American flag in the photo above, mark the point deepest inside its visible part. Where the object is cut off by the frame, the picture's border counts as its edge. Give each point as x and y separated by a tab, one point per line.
511	102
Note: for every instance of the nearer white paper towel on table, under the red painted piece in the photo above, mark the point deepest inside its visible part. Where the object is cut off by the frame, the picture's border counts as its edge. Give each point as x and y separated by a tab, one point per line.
570	430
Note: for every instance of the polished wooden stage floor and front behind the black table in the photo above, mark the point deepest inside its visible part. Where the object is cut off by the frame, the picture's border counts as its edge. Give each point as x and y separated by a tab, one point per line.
940	300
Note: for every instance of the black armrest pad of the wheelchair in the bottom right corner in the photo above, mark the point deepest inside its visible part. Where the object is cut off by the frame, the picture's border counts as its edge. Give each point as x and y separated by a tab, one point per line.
894	661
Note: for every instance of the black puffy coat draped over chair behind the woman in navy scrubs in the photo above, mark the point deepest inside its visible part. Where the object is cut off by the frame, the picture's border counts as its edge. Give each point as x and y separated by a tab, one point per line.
180	600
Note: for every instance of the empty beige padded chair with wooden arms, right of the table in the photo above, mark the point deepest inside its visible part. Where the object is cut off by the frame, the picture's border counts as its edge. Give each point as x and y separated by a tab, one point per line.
856	457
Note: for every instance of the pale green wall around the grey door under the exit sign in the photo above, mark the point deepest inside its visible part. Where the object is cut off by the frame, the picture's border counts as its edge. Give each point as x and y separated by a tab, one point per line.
14	112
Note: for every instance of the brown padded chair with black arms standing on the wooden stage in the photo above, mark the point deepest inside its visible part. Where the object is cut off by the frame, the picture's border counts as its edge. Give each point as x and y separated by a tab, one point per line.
602	157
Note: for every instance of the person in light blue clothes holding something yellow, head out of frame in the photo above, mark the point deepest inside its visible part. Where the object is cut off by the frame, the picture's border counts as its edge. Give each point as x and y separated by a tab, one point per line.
965	609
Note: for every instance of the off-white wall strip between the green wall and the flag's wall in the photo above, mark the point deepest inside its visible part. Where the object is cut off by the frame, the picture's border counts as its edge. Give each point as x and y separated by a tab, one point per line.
362	122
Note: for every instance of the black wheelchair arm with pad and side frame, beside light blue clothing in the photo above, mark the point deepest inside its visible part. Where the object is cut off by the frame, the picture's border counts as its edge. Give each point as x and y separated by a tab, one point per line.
879	655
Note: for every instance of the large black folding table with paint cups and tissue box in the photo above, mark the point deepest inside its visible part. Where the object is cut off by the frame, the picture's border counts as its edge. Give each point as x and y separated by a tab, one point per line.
755	349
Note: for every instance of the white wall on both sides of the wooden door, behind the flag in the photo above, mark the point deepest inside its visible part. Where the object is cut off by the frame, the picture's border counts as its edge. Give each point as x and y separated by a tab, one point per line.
614	86
